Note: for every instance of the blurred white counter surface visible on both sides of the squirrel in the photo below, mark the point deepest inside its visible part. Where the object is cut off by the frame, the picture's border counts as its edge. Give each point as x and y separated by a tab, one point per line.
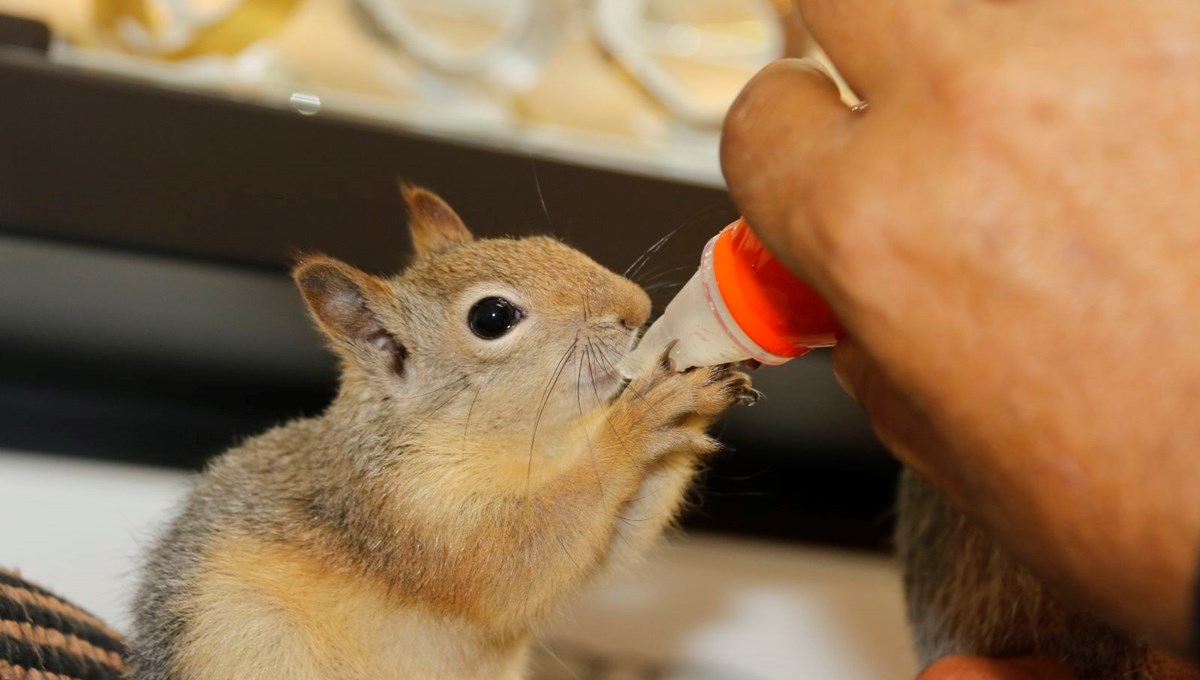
763	611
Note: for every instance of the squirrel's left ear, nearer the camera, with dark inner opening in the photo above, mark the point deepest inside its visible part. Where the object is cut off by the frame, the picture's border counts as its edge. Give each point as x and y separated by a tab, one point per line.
344	303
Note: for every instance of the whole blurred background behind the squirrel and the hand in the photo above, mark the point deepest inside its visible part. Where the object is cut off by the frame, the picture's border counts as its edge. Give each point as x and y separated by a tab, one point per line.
163	163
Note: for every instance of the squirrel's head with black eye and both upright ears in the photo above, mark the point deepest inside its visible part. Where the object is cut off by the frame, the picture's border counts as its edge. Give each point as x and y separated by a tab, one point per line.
477	341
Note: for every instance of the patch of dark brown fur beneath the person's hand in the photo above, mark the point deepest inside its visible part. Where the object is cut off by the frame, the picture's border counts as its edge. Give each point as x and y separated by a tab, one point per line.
967	595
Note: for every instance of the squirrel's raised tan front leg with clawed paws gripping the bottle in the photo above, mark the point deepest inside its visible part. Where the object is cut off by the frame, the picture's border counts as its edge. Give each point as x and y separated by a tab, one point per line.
614	502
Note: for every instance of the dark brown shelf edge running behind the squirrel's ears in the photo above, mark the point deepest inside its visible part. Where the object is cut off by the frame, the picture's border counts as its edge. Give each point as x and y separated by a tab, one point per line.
117	163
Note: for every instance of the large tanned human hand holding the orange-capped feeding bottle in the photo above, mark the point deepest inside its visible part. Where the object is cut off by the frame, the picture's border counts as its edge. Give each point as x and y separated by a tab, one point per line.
1010	234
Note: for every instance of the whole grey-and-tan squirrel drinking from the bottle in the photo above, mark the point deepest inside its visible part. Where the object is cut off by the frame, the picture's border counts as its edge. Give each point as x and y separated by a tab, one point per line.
481	464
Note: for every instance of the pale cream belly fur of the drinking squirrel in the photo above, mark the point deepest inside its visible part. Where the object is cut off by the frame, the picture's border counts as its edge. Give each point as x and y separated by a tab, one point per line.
262	611
